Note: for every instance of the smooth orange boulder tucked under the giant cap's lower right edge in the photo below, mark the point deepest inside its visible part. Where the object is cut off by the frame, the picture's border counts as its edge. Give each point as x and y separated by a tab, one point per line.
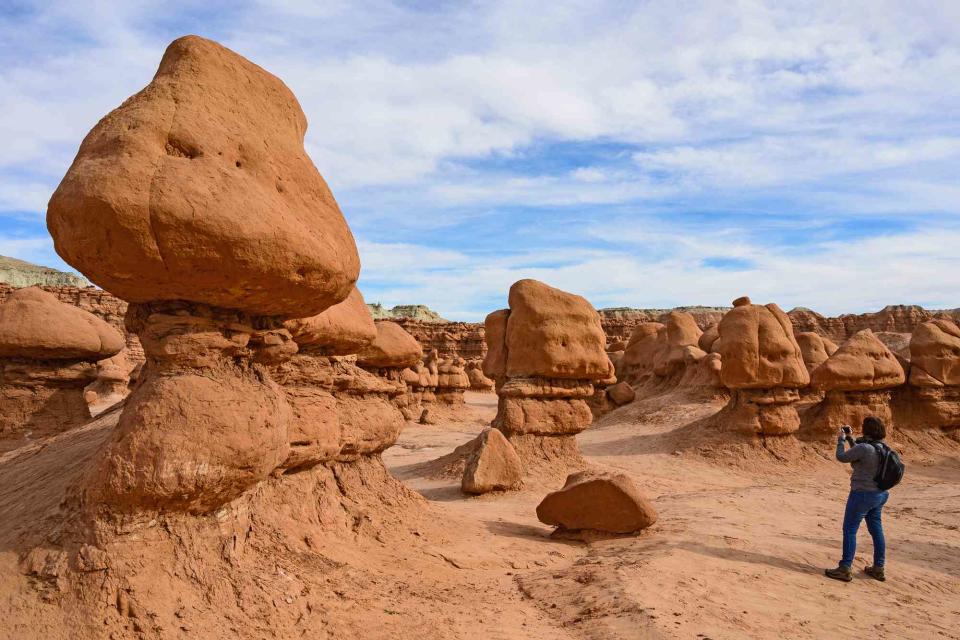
343	329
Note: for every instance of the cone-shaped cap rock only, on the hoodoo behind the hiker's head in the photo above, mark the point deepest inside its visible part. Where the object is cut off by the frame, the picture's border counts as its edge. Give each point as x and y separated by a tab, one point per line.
861	363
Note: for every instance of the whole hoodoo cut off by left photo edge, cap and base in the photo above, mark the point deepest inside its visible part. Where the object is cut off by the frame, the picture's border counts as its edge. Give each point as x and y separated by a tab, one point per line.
47	355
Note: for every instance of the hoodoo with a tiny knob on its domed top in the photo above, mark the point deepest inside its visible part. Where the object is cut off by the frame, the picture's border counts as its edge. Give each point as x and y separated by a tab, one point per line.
763	367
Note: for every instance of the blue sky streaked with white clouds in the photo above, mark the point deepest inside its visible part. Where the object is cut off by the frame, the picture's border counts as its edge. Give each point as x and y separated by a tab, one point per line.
645	154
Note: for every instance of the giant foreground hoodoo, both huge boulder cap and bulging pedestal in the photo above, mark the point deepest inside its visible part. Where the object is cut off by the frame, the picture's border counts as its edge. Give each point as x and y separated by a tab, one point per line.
195	201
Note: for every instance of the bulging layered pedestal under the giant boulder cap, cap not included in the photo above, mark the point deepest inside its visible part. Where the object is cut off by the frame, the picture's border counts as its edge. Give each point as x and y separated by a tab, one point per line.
206	421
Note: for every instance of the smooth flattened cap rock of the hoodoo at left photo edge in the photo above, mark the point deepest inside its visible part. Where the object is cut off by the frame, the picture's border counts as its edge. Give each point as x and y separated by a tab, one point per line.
35	325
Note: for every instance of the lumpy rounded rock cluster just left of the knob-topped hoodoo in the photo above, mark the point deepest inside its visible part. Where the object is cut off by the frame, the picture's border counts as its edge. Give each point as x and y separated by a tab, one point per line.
662	356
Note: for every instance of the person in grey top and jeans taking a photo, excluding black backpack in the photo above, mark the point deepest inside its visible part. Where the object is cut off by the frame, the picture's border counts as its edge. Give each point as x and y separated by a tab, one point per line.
866	499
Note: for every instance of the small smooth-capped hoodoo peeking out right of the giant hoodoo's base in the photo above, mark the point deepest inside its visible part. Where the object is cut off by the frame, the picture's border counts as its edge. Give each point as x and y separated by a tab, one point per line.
389	357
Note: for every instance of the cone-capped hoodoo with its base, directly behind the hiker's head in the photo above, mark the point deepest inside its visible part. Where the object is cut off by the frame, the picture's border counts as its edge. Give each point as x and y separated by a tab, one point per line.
857	380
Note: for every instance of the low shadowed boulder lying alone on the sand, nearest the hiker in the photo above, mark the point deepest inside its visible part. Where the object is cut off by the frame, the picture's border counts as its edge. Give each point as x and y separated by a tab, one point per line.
593	501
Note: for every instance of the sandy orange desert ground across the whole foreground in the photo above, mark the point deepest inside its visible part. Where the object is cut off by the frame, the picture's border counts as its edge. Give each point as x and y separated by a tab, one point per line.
738	551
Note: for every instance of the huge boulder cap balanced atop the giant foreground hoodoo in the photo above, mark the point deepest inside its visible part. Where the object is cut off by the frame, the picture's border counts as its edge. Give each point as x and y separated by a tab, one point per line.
198	188
